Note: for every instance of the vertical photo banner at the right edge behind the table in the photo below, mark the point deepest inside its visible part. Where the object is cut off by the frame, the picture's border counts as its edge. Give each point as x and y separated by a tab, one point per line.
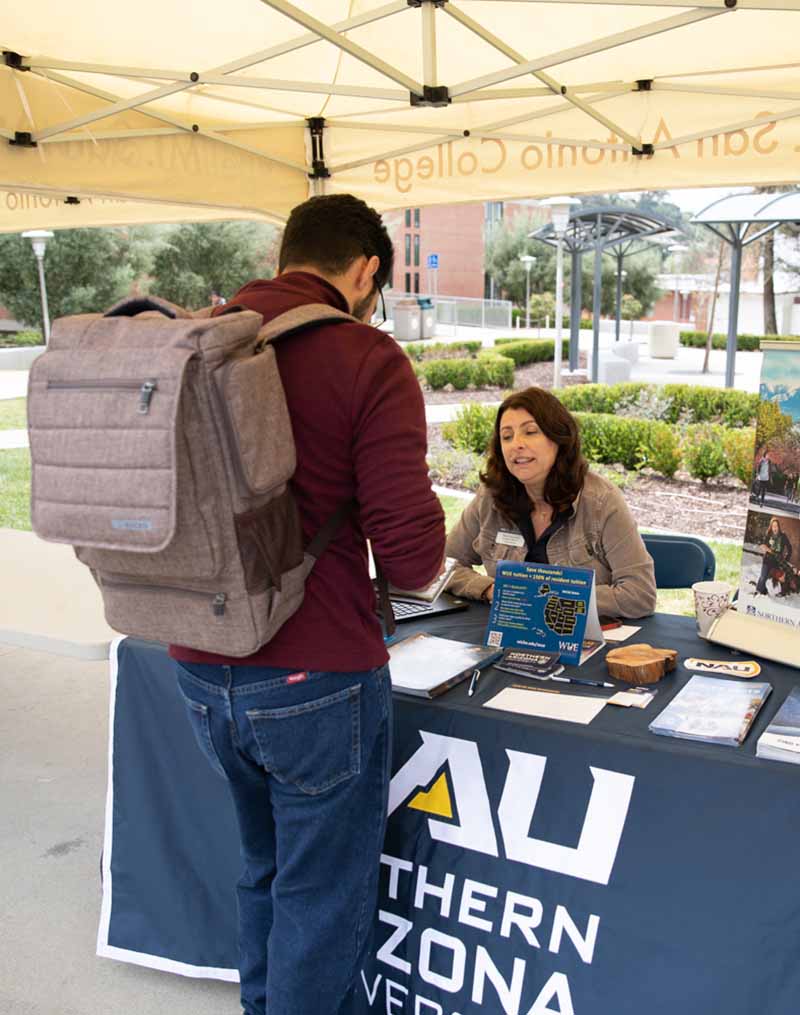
770	586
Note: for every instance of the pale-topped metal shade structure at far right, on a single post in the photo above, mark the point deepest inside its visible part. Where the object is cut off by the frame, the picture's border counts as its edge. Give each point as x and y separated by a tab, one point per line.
740	221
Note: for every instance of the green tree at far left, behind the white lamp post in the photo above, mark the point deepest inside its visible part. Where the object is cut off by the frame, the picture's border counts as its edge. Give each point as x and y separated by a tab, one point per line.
86	270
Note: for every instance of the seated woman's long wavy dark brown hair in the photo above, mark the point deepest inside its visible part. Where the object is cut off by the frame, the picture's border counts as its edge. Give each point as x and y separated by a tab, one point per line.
566	479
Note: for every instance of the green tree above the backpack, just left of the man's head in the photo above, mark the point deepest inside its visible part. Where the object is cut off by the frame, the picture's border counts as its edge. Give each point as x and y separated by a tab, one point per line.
197	258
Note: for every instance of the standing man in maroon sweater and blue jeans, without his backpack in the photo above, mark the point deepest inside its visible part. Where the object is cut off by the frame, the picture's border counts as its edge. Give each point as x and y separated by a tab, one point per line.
301	730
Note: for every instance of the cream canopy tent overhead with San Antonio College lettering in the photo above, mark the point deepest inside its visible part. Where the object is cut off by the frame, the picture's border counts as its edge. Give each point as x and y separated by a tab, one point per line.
404	103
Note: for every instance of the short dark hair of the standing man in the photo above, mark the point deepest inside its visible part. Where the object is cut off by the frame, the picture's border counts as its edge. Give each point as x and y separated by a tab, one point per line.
331	232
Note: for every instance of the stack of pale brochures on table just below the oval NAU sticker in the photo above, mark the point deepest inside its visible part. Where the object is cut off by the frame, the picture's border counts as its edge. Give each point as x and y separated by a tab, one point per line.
712	710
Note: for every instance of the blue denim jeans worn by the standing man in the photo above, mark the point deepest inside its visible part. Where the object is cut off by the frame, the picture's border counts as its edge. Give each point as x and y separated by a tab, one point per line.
307	761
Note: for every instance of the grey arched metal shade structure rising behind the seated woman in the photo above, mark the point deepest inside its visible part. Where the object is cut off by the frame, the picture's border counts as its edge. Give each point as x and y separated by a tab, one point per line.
604	230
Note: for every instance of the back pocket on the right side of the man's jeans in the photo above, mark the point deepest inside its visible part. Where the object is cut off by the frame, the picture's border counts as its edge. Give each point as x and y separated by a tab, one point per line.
314	746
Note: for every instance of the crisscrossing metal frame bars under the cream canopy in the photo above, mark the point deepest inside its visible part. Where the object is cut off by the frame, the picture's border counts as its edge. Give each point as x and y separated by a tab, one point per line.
406	90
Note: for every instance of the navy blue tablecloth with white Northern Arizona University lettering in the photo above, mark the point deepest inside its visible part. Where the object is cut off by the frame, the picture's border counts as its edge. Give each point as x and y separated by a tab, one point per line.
531	867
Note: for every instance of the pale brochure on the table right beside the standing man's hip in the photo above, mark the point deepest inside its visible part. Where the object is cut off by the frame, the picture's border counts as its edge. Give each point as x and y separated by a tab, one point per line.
428	666
